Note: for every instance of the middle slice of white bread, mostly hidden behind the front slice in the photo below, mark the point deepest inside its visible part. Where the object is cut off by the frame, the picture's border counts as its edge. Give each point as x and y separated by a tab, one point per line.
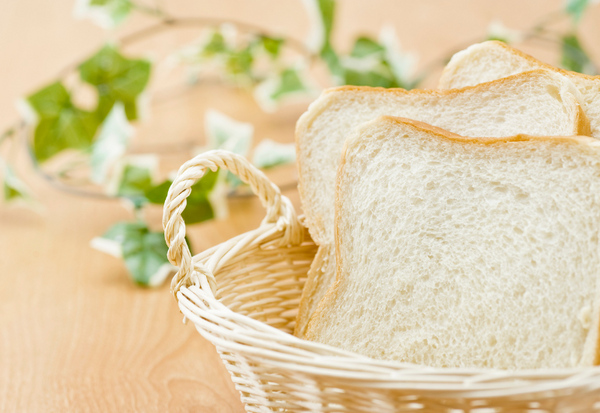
537	103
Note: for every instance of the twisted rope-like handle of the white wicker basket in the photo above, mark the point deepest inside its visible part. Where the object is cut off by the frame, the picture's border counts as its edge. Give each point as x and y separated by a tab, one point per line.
279	212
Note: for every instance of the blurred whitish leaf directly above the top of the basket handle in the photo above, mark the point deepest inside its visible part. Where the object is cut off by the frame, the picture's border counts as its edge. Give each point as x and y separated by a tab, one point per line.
223	132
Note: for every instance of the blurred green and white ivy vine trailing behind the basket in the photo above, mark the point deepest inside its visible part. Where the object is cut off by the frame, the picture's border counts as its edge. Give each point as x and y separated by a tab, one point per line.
246	57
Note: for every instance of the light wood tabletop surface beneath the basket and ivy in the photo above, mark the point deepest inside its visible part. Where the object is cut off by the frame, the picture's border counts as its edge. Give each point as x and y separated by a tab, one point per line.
75	333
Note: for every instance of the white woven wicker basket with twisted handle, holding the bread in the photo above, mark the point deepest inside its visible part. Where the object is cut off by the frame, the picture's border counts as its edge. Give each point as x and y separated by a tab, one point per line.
243	295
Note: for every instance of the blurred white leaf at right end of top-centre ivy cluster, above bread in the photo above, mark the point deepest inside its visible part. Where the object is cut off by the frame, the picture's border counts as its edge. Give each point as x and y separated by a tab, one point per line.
401	63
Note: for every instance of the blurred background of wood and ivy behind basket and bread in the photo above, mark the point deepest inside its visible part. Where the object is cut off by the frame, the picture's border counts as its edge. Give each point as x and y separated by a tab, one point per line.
102	100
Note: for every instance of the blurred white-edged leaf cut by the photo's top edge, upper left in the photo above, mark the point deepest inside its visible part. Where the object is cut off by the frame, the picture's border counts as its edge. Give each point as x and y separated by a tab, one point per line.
107	14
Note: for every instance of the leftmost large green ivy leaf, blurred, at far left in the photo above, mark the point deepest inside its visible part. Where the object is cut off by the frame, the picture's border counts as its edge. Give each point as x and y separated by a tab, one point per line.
61	124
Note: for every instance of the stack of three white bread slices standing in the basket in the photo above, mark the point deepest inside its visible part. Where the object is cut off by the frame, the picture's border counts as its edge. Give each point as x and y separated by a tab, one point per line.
457	227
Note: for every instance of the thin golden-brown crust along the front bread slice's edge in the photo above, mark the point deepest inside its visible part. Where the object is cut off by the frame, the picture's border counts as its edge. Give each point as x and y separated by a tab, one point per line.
333	292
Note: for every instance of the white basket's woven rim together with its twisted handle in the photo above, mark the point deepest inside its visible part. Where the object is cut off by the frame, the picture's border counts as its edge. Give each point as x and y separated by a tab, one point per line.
254	341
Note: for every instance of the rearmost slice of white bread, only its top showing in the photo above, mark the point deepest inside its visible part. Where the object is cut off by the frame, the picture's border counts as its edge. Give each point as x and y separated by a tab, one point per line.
491	60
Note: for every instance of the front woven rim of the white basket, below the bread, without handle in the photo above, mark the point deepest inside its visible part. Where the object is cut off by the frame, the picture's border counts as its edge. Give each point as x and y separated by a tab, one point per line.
359	370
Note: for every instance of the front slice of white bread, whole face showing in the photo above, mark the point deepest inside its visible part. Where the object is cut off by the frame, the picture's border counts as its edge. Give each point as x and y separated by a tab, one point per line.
465	252
